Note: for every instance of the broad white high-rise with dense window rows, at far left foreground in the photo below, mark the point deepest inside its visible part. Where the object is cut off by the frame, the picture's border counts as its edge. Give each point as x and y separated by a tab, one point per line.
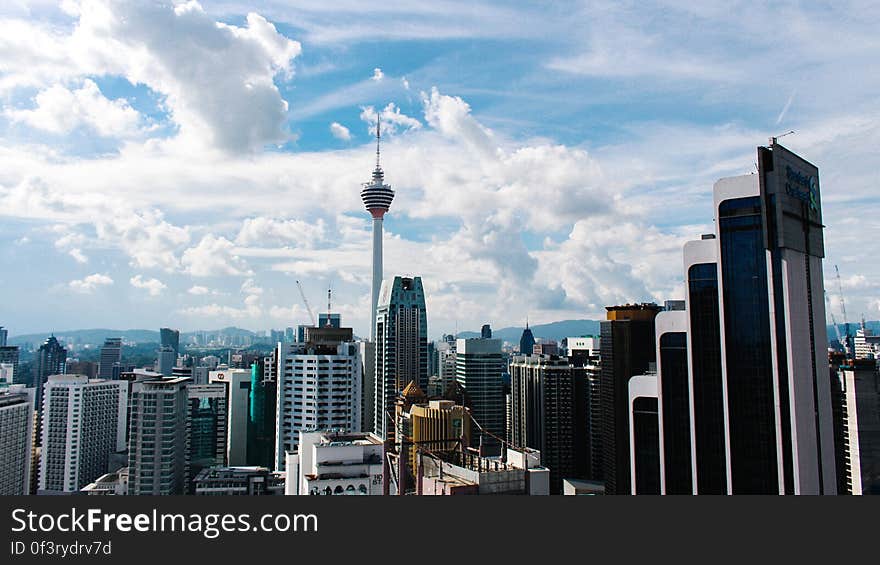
83	424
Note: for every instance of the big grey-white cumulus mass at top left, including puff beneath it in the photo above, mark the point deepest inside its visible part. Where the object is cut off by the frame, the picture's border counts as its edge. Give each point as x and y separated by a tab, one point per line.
216	79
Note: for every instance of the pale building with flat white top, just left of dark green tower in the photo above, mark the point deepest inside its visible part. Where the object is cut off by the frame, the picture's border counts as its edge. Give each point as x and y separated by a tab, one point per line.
237	383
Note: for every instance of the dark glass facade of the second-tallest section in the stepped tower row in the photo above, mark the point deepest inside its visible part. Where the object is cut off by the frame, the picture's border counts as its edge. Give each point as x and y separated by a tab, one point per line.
703	309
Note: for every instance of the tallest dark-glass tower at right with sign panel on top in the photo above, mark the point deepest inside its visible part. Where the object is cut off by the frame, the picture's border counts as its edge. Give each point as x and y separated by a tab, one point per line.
779	435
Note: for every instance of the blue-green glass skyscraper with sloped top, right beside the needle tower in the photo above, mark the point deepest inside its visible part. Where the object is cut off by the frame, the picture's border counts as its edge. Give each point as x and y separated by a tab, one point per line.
401	346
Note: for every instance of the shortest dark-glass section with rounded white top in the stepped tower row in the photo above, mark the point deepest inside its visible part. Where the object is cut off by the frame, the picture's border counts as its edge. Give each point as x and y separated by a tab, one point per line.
644	435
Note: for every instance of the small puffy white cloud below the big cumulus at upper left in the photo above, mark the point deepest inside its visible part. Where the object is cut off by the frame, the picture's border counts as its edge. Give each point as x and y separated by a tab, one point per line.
60	111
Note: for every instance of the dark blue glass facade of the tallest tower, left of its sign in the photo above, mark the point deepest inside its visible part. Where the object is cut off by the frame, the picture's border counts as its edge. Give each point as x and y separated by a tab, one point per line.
747	329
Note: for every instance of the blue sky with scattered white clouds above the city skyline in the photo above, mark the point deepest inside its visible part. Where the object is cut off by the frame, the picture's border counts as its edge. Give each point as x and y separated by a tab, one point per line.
183	164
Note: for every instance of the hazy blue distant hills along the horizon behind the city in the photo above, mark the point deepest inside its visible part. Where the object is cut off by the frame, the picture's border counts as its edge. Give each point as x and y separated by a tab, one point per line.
553	330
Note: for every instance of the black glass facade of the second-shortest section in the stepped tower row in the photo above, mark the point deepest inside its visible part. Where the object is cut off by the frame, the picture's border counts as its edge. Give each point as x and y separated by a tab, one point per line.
676	413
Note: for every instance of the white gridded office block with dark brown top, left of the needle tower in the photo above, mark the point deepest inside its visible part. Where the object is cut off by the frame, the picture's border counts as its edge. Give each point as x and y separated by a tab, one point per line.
318	387
